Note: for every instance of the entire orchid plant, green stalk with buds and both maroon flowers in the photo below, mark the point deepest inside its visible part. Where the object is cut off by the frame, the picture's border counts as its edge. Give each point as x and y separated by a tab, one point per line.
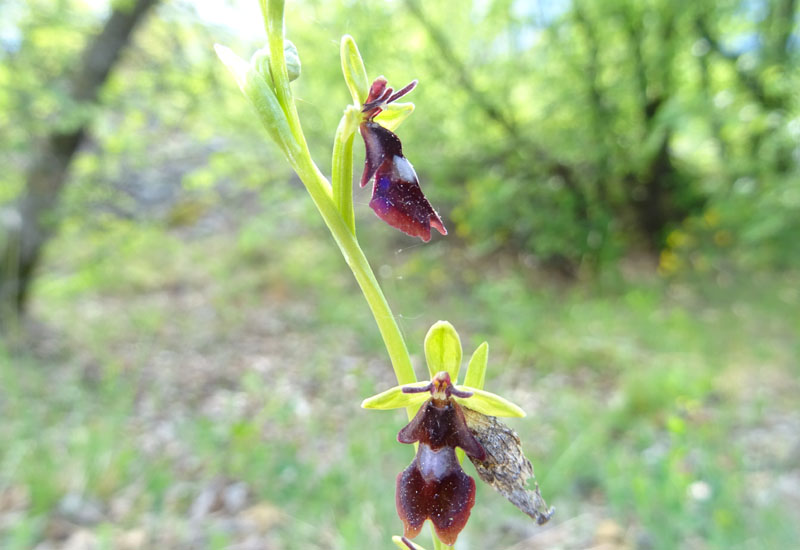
433	487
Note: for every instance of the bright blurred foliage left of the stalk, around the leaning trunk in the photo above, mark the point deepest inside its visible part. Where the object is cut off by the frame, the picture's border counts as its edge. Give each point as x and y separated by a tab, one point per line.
171	137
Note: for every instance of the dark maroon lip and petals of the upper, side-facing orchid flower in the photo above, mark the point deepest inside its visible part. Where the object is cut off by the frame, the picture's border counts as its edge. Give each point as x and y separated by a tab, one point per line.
396	195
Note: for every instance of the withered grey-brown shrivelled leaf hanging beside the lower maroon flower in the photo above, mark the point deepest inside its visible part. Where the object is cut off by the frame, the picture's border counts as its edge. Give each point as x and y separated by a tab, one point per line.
506	468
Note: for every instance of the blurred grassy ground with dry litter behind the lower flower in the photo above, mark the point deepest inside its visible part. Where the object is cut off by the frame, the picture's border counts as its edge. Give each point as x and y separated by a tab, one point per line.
172	368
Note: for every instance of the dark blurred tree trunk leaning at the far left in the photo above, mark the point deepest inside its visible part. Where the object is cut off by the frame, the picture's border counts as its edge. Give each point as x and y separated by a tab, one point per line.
34	218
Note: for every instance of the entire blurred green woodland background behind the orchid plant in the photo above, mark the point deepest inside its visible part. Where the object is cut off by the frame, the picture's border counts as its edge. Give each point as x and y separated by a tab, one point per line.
185	365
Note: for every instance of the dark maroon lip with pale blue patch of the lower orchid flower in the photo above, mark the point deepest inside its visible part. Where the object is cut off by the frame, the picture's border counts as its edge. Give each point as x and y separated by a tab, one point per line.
434	486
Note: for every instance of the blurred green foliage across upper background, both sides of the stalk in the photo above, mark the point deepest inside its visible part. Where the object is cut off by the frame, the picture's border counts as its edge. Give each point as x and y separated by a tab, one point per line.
572	131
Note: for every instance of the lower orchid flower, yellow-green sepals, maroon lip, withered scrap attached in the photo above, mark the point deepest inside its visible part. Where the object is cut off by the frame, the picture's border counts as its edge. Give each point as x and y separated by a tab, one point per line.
451	420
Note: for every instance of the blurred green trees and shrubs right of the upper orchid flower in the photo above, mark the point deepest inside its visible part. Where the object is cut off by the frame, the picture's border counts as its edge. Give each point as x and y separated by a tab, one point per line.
582	130
